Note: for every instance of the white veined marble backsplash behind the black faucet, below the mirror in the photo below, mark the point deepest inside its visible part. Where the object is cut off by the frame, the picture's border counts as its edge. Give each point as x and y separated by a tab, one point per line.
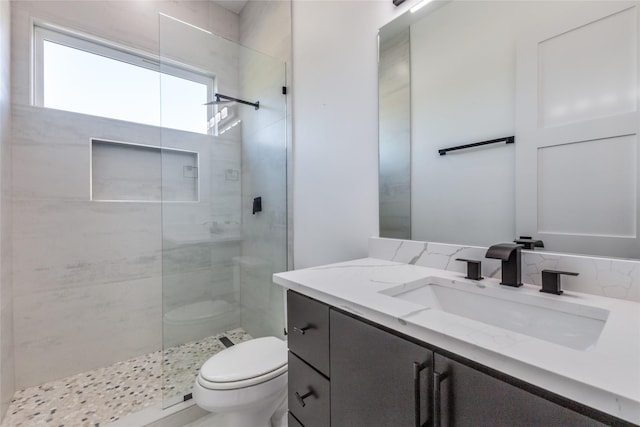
609	277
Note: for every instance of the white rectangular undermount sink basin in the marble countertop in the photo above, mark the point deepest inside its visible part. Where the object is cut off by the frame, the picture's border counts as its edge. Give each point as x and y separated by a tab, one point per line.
554	320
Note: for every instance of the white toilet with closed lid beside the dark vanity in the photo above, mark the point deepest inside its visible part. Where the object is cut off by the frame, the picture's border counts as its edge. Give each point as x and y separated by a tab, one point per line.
244	384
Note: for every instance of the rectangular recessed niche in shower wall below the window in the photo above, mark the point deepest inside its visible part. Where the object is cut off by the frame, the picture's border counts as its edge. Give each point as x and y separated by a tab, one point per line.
122	171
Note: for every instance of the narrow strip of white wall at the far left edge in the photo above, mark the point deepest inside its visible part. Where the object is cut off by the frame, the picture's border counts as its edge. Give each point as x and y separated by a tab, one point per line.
6	295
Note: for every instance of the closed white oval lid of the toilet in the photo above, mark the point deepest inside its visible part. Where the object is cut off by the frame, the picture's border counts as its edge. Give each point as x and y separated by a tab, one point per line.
249	359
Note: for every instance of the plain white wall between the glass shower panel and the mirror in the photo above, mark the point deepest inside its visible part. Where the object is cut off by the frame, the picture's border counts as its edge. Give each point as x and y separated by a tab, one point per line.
335	101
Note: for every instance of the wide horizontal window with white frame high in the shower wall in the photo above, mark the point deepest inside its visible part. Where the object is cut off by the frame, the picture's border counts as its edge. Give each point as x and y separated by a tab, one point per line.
75	73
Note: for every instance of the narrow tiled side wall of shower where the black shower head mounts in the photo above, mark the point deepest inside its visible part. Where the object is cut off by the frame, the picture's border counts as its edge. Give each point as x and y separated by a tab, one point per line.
265	26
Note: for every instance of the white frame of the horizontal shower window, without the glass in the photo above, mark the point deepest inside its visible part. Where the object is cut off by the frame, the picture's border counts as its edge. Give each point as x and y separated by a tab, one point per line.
44	31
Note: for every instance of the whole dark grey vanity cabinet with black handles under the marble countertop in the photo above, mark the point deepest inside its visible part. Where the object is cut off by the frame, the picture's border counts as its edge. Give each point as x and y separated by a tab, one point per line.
381	378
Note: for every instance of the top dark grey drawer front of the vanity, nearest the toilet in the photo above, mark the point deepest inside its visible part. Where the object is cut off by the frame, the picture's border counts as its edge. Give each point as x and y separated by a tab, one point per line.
308	327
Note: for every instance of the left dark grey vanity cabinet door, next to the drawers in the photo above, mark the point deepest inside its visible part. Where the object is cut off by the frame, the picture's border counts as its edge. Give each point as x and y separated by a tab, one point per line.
377	379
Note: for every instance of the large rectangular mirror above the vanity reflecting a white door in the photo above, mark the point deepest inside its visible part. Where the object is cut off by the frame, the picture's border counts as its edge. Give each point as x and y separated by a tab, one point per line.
562	77
